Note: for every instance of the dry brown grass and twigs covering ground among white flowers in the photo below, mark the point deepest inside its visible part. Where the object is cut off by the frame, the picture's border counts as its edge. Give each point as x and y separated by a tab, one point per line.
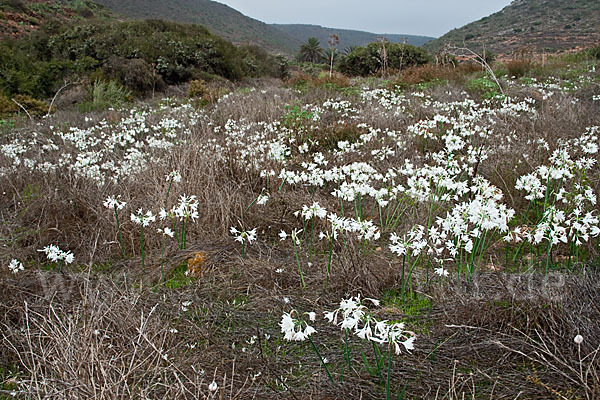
103	330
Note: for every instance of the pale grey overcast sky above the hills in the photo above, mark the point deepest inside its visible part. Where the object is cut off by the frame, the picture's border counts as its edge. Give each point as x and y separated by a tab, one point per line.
411	17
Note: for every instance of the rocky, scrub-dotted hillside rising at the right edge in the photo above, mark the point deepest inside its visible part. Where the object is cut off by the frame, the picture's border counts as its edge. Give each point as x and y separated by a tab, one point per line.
549	25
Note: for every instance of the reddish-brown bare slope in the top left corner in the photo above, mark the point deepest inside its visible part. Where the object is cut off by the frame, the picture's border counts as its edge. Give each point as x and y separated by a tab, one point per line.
18	17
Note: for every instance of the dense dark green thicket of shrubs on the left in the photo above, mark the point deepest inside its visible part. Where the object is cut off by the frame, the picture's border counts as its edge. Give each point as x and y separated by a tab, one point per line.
138	54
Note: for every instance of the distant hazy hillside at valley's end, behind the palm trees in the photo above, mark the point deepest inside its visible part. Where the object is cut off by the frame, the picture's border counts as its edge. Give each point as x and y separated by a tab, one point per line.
348	38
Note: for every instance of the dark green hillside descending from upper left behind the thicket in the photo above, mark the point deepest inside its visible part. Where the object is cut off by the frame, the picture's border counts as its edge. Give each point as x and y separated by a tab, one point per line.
218	18
